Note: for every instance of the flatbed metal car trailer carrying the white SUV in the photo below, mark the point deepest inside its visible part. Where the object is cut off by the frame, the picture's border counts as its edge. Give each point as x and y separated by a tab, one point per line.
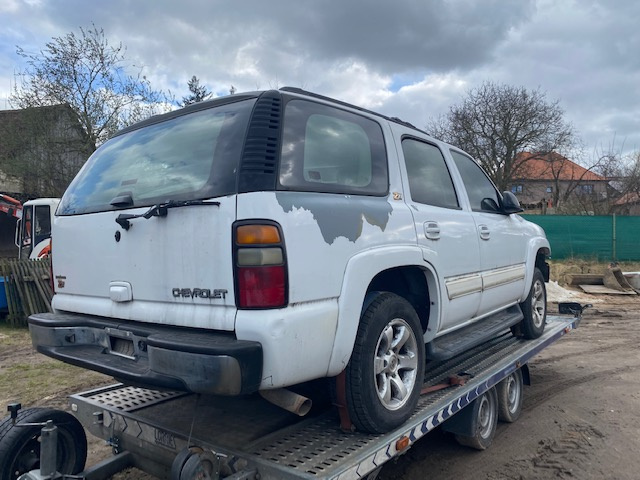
183	436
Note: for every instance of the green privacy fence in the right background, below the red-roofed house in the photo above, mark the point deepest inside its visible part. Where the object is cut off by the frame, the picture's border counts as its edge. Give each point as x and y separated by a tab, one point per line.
604	238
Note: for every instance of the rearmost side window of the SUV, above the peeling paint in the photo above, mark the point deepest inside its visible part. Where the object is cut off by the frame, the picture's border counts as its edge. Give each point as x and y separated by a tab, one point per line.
325	149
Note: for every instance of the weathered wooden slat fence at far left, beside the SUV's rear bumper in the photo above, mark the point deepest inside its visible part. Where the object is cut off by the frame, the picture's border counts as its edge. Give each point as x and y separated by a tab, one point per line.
27	284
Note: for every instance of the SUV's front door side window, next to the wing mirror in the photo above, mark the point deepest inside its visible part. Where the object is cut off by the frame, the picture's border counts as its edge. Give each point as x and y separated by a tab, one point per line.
483	196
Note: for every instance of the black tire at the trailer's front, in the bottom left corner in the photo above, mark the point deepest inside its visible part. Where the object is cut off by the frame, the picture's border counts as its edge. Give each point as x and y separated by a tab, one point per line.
20	446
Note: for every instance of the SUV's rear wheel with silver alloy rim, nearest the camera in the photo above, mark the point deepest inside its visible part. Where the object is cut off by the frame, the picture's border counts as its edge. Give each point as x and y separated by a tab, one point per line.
386	370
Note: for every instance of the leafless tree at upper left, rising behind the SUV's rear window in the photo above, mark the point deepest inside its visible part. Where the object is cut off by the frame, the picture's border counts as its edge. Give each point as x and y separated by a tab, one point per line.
83	70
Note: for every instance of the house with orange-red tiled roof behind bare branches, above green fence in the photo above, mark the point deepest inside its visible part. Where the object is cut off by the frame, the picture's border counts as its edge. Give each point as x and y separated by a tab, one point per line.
553	181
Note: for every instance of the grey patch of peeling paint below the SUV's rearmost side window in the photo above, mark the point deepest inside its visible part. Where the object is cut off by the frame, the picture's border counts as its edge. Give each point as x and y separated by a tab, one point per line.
339	215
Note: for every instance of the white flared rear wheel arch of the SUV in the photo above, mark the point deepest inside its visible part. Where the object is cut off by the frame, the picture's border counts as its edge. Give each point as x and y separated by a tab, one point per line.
394	269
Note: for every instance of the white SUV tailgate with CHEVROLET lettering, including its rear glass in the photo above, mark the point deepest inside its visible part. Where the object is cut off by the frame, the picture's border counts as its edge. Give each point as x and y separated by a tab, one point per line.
144	231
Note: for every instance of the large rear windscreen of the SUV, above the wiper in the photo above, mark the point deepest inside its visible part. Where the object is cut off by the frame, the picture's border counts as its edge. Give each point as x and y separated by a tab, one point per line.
192	156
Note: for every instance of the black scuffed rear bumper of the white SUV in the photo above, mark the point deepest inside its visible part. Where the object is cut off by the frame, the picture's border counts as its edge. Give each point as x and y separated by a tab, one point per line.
152	356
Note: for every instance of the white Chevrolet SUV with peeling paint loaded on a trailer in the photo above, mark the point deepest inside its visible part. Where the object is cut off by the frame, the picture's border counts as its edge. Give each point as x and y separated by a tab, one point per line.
266	239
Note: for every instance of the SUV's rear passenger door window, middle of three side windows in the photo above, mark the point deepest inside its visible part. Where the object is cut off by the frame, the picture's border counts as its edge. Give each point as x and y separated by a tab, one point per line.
429	179
